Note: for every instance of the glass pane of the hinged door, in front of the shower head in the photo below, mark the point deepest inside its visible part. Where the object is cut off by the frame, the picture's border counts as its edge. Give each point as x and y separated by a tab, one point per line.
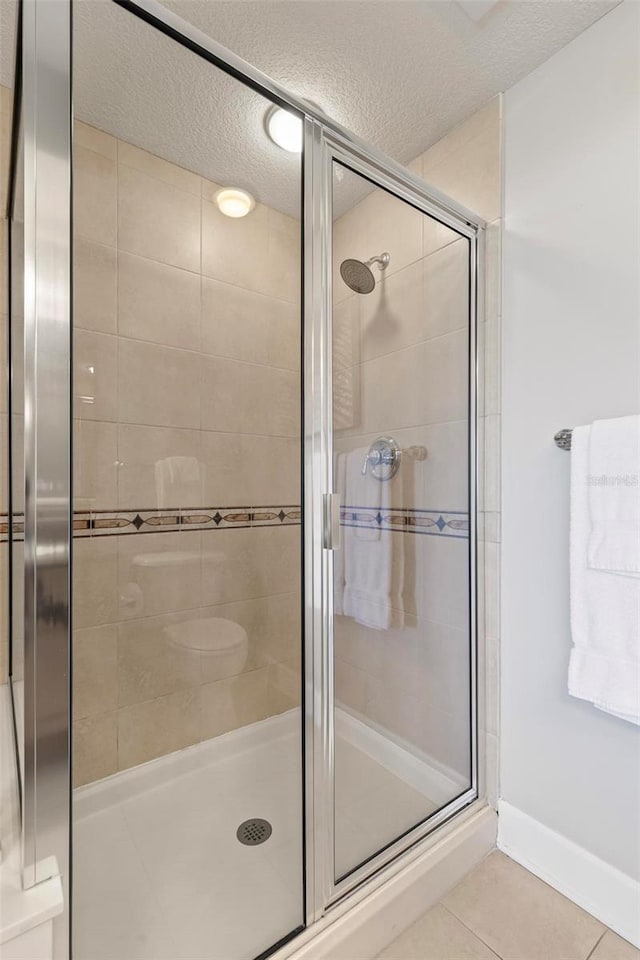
401	575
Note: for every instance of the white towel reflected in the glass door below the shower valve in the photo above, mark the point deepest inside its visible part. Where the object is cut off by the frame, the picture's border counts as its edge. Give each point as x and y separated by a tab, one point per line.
373	557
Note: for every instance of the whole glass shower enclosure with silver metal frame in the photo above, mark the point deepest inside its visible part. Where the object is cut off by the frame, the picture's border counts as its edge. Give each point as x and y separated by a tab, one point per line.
243	531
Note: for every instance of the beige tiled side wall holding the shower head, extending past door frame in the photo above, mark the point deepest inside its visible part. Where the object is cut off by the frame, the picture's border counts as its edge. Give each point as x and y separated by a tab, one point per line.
416	333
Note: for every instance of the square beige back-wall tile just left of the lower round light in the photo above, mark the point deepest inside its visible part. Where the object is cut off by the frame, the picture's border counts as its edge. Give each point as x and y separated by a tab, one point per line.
158	221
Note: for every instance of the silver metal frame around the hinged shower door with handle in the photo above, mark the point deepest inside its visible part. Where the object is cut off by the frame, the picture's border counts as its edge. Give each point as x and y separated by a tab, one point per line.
323	147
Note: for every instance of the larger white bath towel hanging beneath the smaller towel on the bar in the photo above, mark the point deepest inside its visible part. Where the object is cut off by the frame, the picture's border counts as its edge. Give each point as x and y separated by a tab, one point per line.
604	666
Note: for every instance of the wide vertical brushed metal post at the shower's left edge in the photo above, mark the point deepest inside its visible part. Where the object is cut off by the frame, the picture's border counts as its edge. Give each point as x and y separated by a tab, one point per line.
42	101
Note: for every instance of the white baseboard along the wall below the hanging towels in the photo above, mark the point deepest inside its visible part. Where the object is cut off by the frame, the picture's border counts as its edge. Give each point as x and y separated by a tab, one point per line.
608	894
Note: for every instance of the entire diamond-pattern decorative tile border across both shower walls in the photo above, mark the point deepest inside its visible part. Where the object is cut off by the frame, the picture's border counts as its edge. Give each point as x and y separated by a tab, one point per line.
115	523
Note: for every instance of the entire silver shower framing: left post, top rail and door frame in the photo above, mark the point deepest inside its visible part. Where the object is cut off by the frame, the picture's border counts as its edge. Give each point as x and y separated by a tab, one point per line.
48	503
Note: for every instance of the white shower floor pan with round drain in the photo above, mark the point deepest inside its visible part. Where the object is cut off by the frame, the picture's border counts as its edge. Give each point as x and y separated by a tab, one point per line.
159	873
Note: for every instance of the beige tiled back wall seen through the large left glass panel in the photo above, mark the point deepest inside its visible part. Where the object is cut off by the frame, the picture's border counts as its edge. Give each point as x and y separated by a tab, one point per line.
186	395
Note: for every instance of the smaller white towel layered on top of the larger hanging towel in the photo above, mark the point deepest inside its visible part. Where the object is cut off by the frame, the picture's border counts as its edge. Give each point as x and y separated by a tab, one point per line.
614	495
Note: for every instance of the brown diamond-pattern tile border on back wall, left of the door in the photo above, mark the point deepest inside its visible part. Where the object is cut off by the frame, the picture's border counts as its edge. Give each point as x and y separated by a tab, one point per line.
115	523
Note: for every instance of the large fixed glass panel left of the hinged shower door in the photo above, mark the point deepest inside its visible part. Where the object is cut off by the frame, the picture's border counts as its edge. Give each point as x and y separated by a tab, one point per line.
187	482
